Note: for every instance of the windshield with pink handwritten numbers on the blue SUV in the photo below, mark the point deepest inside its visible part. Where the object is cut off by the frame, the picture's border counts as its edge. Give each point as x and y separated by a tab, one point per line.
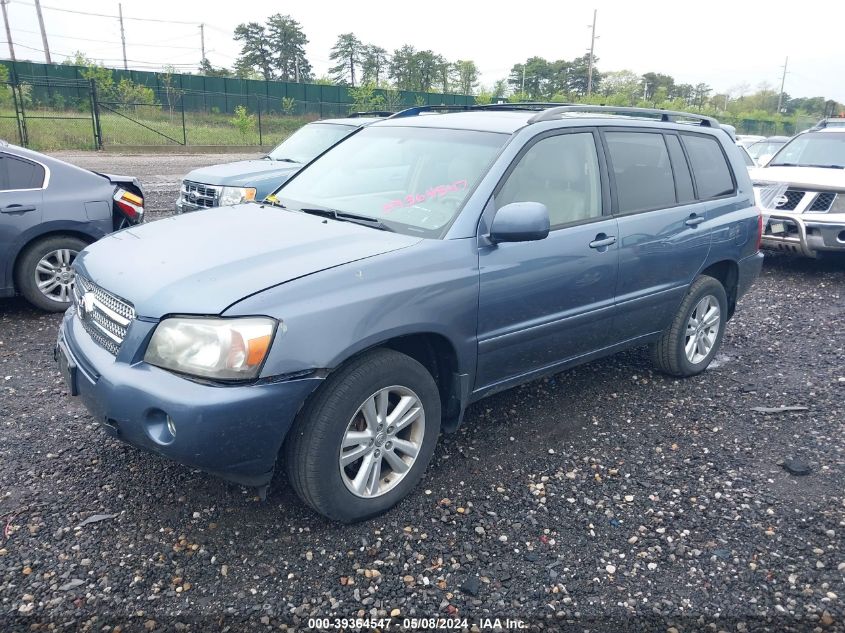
413	180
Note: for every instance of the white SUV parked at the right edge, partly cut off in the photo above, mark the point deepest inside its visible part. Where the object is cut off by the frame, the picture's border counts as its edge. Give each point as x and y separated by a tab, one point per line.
802	194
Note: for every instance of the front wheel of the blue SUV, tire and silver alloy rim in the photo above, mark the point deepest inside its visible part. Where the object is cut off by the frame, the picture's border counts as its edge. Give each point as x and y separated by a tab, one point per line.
365	439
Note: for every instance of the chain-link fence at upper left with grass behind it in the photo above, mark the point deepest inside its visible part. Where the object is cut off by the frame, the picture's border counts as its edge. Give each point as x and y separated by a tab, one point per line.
80	114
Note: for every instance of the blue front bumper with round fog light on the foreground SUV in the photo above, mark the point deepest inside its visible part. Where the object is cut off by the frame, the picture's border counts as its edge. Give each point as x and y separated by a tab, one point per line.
234	432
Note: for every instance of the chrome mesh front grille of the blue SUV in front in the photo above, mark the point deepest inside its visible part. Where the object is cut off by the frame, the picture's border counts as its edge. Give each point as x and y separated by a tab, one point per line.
105	317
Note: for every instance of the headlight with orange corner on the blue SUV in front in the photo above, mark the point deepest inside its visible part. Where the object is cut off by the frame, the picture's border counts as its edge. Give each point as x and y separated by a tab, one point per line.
220	349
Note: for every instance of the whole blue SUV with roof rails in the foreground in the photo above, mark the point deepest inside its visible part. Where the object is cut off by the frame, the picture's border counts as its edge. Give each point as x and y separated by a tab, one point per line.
421	264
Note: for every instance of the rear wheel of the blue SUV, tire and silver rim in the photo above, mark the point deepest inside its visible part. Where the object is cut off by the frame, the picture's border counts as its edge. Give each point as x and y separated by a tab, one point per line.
688	346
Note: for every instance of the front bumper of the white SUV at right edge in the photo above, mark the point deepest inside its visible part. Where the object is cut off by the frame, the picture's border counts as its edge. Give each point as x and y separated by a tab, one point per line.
805	234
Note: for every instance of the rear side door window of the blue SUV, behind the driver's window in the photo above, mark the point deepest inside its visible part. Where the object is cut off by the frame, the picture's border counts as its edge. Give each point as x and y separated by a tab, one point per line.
642	171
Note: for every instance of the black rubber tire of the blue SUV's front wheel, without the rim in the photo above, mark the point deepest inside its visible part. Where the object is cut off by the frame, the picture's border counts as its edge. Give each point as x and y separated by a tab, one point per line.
312	448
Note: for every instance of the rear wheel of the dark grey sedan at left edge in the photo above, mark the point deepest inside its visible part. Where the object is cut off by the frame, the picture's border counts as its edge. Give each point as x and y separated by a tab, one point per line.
43	274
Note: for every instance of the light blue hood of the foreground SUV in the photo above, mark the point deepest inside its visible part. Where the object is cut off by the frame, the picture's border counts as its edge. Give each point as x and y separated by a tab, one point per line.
202	263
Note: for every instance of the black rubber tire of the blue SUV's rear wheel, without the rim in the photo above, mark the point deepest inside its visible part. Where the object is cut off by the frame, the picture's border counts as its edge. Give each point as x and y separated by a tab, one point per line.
668	353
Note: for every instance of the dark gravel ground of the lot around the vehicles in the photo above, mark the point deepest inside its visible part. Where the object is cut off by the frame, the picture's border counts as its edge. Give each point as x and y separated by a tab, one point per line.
607	498
